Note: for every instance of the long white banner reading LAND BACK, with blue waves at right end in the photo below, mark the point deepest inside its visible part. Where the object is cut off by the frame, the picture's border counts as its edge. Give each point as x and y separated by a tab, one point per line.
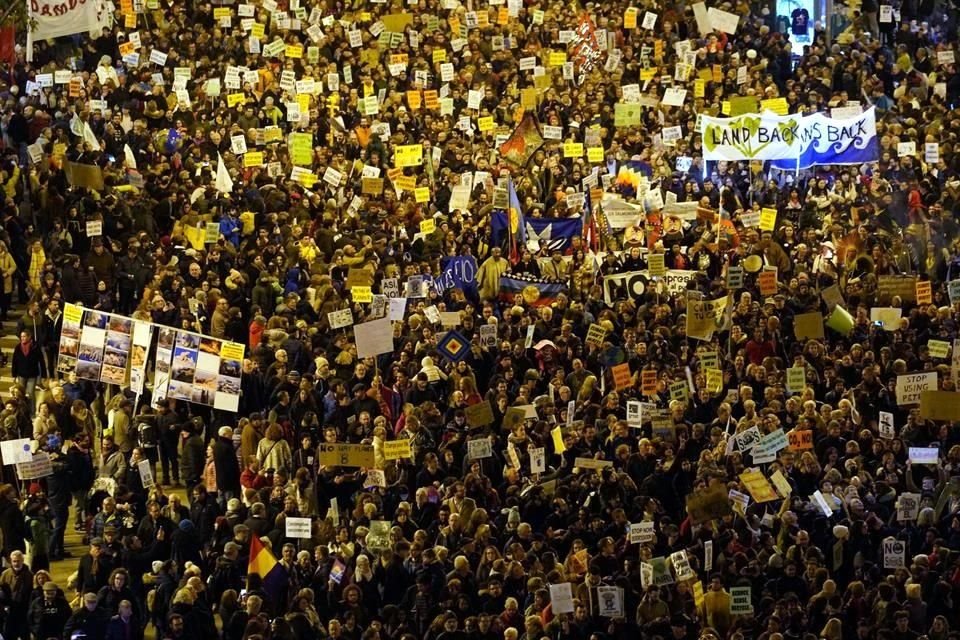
793	141
